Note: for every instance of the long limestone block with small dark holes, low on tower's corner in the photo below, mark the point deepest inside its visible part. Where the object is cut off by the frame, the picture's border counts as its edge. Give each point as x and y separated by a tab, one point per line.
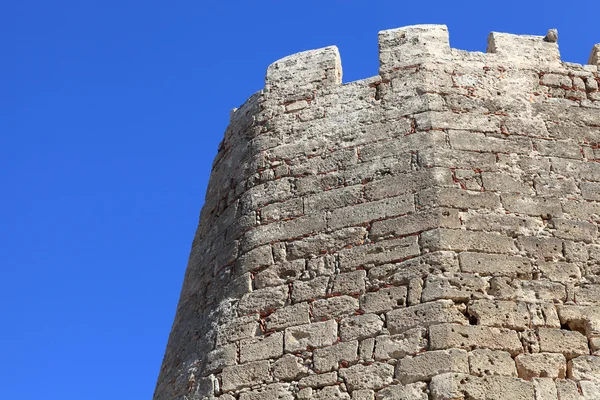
470	337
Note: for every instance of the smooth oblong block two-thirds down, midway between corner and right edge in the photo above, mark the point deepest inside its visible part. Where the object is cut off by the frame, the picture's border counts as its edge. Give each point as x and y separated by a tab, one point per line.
494	265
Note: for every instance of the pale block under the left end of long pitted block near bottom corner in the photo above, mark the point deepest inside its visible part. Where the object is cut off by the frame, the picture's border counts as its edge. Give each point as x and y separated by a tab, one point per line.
426	365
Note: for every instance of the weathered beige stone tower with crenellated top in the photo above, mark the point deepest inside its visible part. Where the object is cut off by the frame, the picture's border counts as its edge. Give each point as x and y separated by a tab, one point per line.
428	233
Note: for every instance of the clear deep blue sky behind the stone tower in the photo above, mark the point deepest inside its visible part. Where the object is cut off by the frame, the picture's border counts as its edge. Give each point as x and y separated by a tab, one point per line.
110	115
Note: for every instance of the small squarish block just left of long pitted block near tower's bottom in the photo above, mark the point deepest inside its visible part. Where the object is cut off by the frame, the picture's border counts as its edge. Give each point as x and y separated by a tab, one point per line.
408	343
